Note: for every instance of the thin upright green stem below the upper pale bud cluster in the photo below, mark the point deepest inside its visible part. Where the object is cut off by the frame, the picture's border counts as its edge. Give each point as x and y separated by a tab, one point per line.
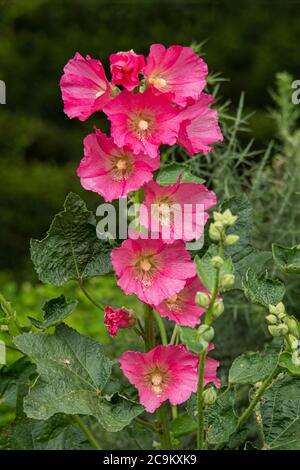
202	358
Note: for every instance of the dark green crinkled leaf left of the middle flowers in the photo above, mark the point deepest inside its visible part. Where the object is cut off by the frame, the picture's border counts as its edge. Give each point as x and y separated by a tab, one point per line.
71	249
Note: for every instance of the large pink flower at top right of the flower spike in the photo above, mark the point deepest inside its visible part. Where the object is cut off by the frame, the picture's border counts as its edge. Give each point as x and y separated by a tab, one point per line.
177	71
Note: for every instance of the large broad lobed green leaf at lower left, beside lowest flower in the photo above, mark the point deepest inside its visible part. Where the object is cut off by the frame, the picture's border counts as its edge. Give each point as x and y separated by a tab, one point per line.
73	371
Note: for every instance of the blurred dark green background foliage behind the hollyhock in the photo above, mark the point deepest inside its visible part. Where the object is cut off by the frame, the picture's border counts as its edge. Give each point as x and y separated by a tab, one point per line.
247	42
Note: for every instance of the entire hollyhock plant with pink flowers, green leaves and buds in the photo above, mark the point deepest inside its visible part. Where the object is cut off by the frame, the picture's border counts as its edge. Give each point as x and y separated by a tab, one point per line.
170	383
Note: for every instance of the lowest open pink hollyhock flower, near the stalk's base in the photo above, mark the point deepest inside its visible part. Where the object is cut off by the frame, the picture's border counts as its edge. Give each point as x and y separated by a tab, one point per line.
165	373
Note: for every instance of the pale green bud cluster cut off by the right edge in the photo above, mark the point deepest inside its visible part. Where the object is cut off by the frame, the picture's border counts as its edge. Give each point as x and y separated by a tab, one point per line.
282	324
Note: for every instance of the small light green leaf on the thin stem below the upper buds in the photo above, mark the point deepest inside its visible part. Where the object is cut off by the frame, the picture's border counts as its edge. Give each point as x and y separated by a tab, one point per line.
207	272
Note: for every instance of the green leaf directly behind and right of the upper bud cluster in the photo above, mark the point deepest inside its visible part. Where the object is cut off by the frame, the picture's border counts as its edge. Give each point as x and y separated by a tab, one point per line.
243	254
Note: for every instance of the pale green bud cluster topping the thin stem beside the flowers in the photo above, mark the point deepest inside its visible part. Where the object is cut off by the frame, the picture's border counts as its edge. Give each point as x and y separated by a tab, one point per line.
217	229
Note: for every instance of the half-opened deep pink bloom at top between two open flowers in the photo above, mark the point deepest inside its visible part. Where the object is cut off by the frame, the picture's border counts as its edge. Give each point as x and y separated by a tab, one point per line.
125	68
